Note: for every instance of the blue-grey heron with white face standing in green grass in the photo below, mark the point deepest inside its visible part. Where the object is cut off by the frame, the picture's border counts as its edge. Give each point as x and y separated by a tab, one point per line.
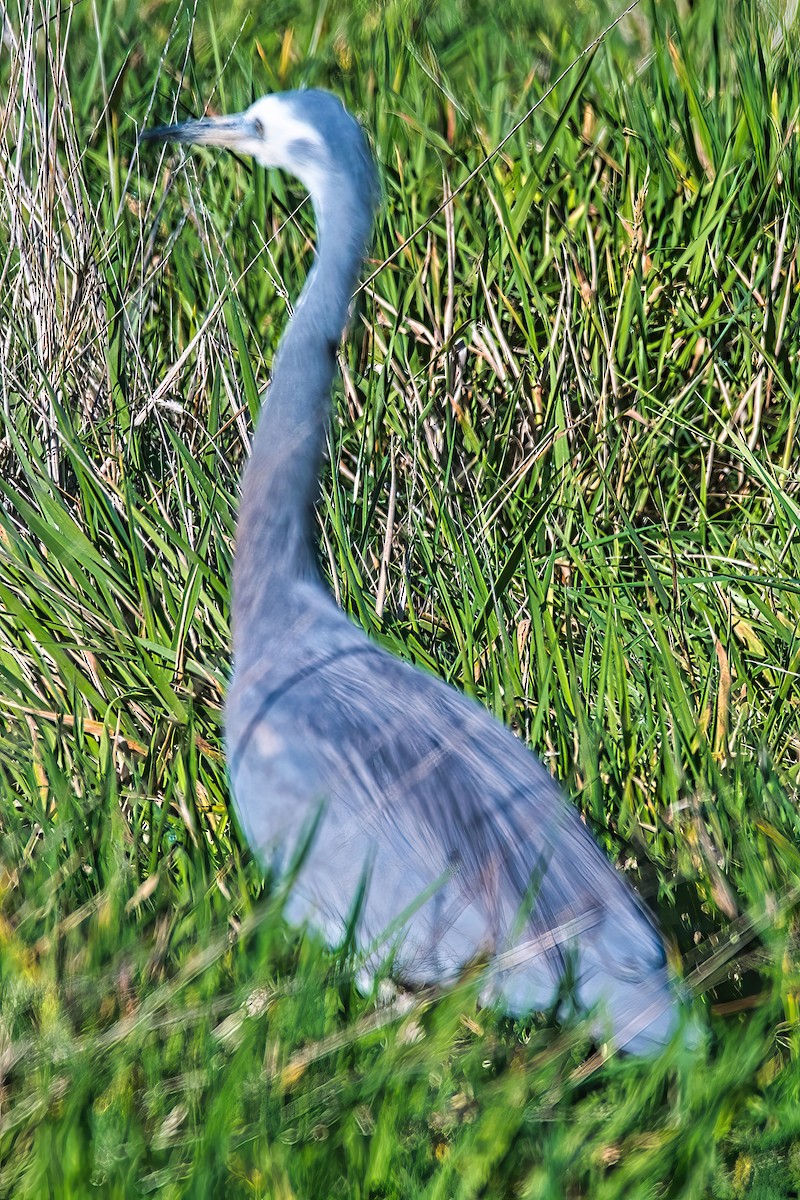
411	817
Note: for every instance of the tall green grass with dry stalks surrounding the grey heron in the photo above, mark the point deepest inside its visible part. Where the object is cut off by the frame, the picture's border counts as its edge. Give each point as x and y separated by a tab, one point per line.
564	477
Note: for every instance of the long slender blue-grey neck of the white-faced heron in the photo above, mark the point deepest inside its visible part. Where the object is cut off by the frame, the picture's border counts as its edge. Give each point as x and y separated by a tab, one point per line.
276	547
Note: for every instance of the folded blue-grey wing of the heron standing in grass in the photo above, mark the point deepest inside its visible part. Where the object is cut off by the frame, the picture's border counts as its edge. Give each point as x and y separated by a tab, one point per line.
444	814
